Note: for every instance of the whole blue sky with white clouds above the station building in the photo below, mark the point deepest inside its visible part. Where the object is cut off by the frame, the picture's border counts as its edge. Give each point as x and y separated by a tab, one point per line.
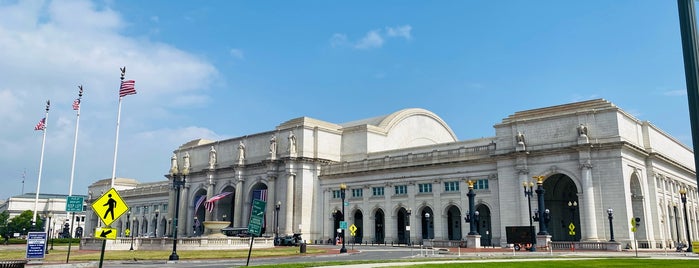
223	69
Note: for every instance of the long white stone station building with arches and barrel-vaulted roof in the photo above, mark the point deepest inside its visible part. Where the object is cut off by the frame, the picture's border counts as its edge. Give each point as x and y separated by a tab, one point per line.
407	178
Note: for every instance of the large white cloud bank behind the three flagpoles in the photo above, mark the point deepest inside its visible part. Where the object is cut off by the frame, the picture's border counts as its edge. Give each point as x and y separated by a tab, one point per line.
49	48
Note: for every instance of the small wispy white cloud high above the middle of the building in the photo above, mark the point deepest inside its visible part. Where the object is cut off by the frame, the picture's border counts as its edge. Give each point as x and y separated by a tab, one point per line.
373	39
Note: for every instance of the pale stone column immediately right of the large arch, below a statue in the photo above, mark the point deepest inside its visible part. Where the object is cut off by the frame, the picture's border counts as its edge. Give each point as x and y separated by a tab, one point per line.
588	205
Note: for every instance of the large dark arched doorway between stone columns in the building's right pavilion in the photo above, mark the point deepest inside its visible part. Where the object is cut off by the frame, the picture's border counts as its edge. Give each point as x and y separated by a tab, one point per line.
560	191
